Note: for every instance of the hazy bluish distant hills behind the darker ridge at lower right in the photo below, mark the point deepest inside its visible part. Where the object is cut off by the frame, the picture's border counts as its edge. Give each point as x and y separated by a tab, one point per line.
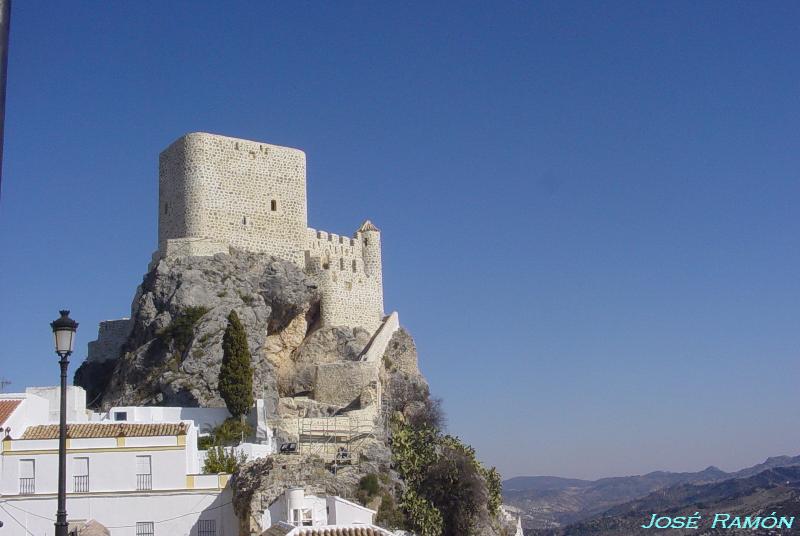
550	502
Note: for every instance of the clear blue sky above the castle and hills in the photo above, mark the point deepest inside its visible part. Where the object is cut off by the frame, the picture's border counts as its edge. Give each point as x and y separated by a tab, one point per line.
589	210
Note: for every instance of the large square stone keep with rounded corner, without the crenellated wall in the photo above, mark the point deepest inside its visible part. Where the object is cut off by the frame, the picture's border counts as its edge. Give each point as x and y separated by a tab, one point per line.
246	194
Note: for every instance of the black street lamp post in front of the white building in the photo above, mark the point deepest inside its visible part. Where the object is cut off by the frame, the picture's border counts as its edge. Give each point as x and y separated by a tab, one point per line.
64	333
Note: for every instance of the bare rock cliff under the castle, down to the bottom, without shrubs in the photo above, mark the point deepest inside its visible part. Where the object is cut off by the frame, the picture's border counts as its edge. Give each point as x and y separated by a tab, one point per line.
304	370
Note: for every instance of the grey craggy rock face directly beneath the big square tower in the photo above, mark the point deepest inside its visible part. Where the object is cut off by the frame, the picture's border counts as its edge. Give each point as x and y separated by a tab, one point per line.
179	314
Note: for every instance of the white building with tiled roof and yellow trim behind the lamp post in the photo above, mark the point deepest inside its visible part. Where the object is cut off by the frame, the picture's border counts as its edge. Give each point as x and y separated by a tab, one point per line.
136	478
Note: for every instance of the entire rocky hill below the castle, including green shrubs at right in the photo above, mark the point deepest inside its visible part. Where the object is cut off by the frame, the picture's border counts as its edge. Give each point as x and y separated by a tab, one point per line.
379	410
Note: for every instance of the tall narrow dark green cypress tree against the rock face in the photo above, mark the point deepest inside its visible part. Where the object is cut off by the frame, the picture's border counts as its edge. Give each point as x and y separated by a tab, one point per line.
236	372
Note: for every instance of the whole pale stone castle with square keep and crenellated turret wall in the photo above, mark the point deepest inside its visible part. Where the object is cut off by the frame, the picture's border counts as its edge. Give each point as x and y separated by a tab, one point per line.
216	192
